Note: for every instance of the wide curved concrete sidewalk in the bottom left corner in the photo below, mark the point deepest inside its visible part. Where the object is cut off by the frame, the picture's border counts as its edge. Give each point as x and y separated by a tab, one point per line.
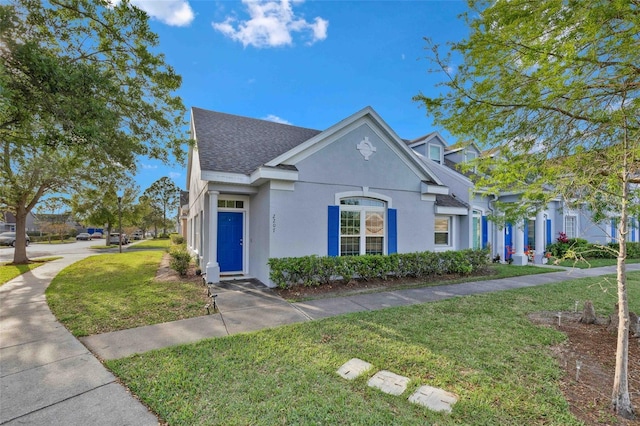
47	377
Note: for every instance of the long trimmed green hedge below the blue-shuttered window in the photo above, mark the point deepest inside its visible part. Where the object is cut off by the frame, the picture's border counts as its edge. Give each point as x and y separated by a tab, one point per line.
315	270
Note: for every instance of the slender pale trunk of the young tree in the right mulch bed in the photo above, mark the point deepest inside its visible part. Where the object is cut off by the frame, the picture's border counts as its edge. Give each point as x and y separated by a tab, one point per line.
621	401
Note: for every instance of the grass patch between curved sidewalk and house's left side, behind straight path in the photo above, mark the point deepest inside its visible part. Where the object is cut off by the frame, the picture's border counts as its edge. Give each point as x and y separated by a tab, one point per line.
118	291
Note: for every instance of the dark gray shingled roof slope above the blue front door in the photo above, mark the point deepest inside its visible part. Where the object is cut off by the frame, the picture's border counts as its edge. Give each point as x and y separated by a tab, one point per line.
235	144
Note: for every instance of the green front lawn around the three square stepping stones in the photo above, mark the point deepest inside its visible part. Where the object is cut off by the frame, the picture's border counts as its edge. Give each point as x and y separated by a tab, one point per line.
482	348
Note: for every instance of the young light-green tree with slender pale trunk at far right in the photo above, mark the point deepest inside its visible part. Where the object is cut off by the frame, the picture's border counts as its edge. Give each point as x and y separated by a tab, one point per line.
554	87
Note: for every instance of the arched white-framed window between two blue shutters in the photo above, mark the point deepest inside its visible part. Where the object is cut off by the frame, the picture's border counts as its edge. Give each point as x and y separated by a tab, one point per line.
362	226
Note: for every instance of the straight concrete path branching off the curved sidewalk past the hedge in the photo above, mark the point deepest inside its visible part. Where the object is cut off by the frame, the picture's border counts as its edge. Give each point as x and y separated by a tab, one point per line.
245	306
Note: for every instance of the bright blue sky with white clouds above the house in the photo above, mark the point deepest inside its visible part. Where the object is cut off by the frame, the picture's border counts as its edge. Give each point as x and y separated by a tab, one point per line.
306	63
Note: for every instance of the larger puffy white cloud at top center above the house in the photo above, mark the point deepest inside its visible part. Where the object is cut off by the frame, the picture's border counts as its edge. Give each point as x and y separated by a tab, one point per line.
272	24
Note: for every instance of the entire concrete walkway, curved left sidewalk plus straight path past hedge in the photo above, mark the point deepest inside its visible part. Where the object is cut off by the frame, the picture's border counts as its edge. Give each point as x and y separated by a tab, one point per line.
47	377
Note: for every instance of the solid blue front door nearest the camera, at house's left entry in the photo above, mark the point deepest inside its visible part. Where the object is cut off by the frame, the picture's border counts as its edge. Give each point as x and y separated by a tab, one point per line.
230	241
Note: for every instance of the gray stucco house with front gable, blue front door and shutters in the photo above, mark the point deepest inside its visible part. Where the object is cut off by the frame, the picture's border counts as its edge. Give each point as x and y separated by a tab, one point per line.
259	189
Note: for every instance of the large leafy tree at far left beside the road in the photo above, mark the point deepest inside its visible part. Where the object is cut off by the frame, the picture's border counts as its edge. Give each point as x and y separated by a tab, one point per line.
83	95
